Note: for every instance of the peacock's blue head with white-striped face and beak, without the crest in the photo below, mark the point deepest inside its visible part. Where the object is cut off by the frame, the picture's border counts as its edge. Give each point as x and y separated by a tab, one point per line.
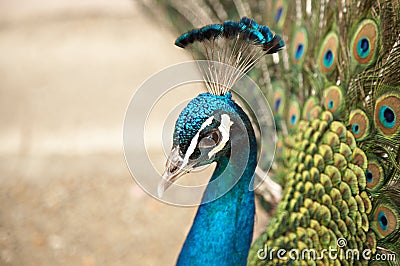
205	132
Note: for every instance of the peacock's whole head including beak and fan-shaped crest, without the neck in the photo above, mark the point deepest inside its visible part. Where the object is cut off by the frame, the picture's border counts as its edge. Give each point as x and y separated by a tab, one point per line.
212	127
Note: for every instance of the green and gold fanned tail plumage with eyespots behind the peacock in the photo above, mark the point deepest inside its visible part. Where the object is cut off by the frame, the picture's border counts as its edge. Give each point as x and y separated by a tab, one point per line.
335	94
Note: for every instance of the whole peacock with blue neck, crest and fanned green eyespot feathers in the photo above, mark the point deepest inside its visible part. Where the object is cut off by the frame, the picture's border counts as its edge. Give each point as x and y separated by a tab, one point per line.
330	70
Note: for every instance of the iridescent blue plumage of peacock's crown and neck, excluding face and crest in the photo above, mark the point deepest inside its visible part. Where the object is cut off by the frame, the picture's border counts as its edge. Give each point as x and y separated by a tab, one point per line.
222	230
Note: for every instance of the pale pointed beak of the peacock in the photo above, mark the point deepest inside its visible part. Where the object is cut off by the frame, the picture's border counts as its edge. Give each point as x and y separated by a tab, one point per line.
175	168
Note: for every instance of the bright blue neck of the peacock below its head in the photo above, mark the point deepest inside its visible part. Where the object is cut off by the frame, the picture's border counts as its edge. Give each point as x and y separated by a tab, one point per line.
222	230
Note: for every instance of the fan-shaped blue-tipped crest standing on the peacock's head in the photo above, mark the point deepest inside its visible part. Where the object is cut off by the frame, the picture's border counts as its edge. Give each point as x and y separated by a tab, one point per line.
239	45
